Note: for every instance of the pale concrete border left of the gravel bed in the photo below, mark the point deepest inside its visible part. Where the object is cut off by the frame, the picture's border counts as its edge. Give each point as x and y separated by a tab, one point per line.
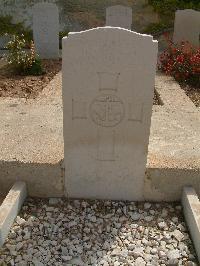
10	208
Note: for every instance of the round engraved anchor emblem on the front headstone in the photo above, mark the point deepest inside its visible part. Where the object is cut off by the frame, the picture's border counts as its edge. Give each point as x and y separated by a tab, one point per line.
107	110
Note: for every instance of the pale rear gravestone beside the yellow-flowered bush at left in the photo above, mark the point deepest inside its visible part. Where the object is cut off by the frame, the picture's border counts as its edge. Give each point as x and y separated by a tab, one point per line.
46	30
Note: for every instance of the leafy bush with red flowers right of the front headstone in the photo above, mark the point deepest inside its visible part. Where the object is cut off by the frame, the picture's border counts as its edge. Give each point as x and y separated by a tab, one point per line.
182	61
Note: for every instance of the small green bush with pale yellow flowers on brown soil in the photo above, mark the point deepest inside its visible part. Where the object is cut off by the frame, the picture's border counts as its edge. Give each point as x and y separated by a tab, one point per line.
21	60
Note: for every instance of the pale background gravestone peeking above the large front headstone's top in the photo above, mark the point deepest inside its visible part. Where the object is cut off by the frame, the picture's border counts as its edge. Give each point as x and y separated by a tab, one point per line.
119	16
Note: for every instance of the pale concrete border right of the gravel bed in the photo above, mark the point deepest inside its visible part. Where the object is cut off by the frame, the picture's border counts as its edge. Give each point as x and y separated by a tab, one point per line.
191	208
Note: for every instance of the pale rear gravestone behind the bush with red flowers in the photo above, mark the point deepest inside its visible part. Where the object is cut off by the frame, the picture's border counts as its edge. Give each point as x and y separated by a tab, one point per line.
187	26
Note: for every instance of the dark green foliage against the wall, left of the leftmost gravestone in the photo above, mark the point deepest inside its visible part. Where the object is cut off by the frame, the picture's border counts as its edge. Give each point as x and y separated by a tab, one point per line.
7	27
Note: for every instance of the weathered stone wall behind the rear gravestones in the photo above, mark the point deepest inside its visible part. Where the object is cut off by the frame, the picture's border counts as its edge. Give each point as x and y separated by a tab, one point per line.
76	15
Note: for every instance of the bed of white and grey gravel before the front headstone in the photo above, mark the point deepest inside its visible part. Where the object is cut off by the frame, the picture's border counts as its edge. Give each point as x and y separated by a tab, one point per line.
62	232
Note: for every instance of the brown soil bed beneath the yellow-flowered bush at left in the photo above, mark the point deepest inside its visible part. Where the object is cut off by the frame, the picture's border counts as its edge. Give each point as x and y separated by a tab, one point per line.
13	85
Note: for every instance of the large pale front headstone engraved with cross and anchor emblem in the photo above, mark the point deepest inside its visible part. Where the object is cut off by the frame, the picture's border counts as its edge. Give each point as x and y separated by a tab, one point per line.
108	87
